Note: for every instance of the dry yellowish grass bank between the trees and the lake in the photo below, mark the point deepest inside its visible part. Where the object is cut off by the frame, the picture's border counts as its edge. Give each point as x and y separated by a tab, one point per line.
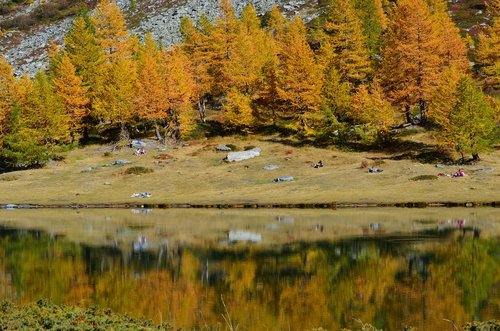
197	174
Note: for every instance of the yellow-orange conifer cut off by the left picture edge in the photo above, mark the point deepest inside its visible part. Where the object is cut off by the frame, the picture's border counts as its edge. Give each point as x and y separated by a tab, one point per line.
7	94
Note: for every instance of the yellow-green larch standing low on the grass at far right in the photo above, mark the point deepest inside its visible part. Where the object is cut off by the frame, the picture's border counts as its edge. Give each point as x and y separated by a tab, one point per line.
472	119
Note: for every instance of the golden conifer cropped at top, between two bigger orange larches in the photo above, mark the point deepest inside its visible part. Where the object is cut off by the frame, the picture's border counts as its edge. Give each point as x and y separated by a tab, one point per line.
345	36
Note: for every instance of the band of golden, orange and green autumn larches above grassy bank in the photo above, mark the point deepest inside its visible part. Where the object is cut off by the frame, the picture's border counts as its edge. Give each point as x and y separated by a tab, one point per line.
359	69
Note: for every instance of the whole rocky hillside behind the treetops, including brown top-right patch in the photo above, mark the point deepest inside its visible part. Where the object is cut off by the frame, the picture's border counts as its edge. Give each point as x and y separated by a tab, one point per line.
27	26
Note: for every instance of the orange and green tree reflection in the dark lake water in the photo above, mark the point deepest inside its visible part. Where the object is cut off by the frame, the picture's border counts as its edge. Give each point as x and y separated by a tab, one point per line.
384	281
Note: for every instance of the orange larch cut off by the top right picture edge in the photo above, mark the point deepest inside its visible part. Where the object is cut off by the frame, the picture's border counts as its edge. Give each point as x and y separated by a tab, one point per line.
488	51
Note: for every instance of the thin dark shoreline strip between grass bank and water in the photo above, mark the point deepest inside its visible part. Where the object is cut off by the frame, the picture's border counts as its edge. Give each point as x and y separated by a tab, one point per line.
330	205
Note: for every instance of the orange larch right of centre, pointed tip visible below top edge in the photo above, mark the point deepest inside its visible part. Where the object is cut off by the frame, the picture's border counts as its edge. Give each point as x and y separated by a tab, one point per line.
299	77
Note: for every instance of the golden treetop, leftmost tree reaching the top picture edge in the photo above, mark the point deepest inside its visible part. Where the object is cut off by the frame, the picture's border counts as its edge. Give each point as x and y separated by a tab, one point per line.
111	31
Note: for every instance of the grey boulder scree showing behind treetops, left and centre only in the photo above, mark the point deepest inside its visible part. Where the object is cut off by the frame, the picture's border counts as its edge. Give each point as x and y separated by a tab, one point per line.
25	44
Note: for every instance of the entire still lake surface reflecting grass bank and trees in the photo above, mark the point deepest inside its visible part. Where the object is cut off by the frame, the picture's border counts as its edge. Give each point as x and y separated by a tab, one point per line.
273	269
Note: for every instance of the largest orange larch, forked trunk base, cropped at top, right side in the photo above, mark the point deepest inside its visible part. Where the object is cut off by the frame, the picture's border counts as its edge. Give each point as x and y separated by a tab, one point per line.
411	62
